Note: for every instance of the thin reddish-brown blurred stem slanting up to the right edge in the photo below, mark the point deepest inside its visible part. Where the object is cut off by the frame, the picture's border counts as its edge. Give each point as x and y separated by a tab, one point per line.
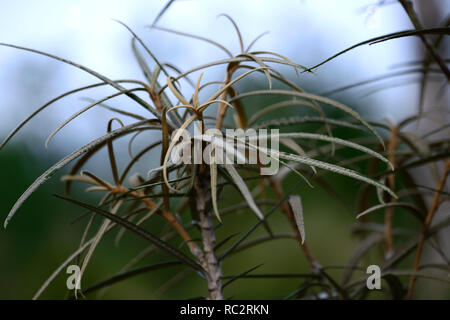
426	226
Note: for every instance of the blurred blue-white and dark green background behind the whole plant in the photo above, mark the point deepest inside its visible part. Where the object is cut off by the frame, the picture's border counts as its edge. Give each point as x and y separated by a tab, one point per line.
41	236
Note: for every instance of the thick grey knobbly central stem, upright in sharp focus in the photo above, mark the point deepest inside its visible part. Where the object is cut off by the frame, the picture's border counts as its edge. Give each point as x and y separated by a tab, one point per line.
210	261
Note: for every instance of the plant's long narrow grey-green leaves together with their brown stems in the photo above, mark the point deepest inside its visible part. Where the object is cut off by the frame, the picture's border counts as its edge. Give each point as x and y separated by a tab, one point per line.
187	195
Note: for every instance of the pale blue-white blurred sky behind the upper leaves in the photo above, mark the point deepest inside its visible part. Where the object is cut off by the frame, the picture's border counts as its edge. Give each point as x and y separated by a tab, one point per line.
307	31
